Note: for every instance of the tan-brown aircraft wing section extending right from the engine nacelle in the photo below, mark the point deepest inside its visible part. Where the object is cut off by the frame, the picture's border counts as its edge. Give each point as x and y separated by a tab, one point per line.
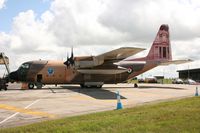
120	53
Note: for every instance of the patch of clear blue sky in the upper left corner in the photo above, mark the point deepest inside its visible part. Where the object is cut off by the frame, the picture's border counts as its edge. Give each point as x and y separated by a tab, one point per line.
14	7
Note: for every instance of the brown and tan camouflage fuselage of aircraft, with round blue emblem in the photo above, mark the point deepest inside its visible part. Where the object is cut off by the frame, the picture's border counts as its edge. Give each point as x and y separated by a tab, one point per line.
55	72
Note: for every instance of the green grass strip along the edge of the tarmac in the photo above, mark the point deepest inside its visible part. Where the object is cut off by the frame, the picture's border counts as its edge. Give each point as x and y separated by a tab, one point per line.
181	116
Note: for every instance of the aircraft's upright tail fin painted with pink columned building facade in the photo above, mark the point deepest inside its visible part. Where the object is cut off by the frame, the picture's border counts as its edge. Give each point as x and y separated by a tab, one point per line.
161	47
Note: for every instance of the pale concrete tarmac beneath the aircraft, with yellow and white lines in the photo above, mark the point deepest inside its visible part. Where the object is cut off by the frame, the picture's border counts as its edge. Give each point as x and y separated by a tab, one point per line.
21	107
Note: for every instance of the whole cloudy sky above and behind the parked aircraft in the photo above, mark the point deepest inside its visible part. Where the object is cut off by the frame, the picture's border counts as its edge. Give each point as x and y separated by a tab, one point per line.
46	29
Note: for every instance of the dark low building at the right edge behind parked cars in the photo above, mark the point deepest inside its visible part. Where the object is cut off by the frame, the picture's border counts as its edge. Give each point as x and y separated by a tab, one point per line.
193	74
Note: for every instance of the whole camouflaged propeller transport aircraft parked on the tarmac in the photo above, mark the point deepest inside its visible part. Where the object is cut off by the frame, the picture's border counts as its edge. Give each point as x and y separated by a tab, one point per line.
108	68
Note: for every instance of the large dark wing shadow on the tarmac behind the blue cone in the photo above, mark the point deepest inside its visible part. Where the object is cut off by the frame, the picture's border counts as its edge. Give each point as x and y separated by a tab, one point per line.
97	93
